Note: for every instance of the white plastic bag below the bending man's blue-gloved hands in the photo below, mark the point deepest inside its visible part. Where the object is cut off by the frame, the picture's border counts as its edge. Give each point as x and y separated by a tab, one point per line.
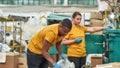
66	64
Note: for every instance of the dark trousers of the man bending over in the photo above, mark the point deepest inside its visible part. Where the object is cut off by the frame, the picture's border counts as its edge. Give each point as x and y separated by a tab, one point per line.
36	60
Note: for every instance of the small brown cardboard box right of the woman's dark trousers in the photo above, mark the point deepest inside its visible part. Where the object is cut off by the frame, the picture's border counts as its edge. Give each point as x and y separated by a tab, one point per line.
95	60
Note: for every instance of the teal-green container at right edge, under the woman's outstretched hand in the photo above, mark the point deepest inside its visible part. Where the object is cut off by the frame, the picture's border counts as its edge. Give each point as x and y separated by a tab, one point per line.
114	45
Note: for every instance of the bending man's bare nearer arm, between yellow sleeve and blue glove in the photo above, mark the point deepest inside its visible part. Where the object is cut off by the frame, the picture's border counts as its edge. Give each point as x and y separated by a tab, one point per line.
45	48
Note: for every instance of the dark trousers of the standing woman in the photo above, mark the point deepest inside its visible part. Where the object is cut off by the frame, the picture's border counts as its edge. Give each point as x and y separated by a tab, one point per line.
78	61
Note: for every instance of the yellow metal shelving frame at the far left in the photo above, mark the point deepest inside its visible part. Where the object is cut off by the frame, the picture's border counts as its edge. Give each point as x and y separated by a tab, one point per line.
5	20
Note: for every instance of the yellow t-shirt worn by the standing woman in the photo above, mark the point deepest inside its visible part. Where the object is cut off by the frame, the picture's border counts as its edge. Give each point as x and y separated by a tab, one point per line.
77	49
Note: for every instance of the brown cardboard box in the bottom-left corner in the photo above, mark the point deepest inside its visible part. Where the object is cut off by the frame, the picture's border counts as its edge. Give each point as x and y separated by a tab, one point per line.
11	61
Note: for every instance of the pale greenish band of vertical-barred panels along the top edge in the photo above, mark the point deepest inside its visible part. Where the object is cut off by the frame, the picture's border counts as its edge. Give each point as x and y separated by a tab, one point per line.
49	2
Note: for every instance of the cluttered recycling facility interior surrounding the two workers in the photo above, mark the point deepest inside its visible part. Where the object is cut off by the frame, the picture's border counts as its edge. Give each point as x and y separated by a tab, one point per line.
18	16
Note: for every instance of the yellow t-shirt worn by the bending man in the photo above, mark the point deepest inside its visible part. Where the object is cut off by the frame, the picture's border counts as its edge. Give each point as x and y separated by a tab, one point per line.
49	33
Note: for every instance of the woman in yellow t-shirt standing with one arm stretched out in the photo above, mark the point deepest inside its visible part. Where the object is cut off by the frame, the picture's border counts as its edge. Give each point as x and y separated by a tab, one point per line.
75	40
